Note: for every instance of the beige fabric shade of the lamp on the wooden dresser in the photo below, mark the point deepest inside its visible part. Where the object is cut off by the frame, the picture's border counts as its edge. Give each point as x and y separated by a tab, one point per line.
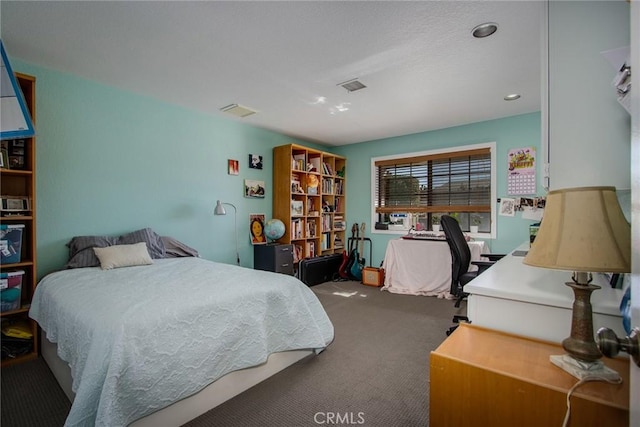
583	229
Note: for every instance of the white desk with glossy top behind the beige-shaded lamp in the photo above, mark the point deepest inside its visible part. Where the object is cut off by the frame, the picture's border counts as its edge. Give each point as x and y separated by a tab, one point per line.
535	302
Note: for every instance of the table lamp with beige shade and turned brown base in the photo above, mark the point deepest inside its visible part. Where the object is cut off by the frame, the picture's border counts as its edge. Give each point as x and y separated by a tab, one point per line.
583	230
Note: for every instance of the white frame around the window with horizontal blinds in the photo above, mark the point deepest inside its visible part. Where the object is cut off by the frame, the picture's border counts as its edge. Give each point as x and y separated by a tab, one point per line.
492	146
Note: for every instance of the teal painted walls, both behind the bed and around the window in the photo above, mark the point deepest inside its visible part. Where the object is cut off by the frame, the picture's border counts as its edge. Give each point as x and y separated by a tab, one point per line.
110	161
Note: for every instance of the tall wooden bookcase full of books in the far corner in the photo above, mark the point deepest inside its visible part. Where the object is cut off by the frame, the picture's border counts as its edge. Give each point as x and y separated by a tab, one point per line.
309	197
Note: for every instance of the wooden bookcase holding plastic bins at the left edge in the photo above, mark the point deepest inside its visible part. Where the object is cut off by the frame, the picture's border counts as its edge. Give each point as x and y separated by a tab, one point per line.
20	181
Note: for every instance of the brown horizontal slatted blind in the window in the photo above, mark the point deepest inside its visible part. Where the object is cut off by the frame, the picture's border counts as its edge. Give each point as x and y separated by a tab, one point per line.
444	182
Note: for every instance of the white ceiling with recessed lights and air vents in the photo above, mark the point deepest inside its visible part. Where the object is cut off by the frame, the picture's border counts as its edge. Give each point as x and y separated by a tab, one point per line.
422	68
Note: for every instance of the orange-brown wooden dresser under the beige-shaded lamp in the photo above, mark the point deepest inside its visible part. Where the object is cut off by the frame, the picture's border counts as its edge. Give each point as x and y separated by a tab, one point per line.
483	377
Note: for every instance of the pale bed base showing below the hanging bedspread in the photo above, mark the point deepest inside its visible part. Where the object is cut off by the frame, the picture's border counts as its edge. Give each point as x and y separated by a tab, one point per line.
184	410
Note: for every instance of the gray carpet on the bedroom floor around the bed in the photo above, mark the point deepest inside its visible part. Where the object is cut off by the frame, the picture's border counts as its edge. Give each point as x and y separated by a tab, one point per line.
375	373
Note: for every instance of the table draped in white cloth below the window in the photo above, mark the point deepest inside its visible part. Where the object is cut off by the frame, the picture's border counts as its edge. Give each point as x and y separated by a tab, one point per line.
422	267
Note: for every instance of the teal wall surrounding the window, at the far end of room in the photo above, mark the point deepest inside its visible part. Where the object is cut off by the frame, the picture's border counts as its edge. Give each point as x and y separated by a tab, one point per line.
512	132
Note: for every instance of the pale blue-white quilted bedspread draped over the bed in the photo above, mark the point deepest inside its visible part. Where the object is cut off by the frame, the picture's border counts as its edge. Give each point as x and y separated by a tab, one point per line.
140	338
